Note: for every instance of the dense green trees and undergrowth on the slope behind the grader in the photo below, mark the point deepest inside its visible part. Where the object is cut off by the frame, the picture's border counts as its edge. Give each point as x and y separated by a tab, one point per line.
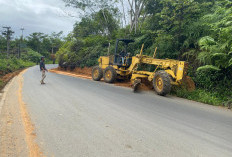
195	31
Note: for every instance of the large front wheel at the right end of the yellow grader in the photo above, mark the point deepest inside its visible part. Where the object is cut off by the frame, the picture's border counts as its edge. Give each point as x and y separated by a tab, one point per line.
162	83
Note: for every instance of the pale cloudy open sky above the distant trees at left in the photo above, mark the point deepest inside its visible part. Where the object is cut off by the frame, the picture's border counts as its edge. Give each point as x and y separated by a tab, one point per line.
44	16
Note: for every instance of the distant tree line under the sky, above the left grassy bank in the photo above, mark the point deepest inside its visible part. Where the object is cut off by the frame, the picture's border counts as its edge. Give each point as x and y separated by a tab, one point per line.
32	47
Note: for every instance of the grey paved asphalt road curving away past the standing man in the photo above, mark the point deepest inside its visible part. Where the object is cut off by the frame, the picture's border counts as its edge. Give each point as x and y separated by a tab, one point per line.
75	117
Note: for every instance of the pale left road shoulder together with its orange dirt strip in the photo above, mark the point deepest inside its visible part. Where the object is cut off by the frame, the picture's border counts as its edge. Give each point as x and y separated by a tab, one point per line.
17	134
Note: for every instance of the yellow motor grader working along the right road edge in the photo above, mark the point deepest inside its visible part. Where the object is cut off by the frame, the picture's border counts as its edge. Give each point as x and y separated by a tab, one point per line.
165	73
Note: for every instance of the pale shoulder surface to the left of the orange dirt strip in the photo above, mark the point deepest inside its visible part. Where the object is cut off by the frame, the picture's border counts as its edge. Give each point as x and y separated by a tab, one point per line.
12	136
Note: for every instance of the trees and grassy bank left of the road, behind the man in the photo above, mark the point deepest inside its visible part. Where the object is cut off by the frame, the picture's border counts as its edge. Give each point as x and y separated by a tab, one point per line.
31	49
